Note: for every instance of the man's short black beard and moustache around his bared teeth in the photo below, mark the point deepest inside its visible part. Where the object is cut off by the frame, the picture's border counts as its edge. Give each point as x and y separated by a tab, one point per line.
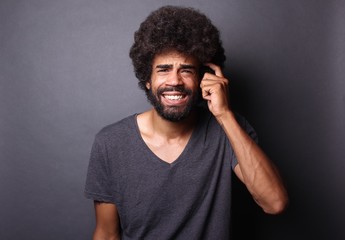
173	113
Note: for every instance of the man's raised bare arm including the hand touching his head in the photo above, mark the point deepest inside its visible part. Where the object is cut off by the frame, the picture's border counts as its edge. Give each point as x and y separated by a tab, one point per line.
255	169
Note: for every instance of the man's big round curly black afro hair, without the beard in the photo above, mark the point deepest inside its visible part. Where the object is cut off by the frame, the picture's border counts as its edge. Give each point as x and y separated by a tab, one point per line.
183	29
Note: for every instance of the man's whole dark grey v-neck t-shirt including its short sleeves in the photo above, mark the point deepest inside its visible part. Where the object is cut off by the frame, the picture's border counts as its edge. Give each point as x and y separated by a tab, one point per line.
188	199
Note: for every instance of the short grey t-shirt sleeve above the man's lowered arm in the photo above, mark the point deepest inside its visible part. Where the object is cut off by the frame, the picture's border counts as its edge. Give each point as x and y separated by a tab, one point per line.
97	185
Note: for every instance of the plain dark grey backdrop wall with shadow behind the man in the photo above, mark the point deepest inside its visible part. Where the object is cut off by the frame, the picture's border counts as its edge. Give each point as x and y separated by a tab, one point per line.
65	73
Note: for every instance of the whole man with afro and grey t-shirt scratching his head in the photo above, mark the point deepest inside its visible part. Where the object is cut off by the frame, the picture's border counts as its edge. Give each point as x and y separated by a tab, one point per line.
166	173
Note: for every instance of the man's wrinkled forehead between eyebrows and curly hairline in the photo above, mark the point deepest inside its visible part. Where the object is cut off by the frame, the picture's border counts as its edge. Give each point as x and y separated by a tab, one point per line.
174	58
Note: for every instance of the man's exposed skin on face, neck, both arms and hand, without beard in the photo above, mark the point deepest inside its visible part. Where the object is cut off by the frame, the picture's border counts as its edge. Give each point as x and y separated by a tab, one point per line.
168	139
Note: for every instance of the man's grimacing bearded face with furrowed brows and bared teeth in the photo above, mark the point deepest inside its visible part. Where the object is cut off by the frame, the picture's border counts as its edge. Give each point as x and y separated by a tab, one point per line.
174	87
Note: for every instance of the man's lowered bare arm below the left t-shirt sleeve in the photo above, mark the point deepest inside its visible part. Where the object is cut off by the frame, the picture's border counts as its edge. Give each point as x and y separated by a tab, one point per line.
107	222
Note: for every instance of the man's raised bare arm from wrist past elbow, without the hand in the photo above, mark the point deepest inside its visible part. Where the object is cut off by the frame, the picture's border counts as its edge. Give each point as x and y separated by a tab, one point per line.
255	170
